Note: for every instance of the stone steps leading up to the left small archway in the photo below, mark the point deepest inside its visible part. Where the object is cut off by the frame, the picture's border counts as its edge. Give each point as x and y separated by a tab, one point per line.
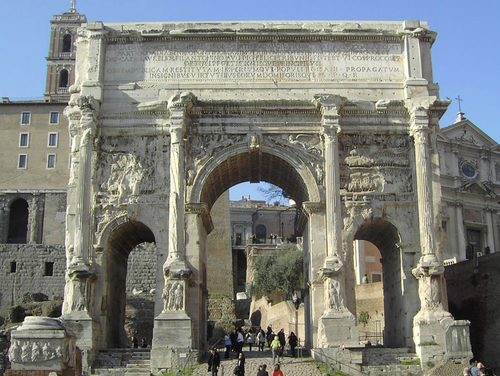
122	362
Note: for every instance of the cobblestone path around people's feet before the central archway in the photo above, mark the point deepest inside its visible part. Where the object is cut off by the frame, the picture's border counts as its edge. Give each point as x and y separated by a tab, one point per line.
253	359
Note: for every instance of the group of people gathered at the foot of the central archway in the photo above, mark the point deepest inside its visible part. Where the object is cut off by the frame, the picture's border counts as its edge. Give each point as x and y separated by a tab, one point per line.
235	341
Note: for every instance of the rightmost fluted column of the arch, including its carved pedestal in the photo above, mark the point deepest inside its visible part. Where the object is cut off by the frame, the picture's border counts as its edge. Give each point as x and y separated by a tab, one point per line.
432	321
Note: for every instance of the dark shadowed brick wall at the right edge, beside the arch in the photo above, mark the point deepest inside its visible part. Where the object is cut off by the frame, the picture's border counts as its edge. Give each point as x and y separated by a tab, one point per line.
473	294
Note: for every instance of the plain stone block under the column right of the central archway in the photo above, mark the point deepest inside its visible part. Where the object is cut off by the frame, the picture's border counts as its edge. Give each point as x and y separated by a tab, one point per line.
338	329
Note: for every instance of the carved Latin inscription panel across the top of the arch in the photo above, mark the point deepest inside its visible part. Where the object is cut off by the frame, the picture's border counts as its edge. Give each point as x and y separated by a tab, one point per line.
187	61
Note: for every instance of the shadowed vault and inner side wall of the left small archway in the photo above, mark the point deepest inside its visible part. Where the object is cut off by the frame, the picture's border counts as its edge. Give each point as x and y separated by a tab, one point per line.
121	242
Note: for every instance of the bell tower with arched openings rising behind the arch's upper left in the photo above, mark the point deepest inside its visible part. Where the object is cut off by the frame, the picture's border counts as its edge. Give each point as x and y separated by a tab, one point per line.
62	54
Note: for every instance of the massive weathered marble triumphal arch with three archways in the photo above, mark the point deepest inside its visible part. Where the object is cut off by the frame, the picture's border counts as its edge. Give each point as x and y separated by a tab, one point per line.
165	117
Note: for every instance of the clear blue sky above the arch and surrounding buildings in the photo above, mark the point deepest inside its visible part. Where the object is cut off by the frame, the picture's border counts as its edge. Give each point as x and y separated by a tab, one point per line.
465	56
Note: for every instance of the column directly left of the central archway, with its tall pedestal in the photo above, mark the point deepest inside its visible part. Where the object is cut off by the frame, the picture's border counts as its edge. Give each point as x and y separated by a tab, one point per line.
173	327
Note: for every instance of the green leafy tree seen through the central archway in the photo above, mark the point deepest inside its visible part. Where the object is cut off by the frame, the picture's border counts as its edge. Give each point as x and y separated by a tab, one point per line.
280	270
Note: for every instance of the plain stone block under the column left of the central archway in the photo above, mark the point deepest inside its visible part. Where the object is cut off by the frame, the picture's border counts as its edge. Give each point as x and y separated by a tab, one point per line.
172	342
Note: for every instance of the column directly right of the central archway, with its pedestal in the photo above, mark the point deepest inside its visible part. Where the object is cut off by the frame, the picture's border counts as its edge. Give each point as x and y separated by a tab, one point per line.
338	324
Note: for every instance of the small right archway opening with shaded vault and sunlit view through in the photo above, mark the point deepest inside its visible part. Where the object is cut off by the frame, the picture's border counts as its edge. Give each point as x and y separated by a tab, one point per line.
384	237
